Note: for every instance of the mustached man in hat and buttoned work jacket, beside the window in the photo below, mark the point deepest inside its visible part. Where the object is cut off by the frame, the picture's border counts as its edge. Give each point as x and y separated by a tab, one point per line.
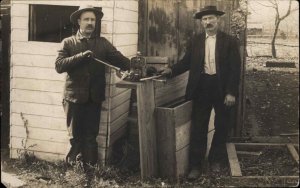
84	89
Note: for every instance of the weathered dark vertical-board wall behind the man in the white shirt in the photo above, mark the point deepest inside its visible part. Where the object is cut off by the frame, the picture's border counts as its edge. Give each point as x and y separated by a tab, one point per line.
166	26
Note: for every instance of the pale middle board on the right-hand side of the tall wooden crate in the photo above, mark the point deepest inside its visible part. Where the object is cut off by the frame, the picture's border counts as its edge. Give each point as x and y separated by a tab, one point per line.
182	135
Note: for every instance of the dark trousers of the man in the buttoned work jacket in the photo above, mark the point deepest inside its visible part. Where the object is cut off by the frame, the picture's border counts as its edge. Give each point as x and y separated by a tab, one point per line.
83	127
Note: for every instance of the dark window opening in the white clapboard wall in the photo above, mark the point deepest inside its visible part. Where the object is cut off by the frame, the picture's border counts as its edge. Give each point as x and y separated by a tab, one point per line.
50	23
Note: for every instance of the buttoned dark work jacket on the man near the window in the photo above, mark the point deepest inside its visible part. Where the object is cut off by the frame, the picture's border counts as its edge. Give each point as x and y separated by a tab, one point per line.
85	79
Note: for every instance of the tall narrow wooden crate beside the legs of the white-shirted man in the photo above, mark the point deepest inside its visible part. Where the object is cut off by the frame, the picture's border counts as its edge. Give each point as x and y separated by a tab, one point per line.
173	124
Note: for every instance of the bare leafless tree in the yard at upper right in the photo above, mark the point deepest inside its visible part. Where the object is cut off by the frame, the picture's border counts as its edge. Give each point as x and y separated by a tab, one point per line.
278	18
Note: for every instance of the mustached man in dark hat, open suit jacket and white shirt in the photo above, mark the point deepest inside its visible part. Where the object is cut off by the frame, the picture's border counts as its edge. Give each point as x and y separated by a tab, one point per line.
213	60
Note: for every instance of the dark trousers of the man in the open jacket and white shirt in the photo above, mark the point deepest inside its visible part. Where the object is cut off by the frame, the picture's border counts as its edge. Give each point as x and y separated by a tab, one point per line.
206	98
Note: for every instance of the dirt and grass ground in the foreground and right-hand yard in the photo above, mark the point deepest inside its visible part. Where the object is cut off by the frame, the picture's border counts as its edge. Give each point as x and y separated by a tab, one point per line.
272	97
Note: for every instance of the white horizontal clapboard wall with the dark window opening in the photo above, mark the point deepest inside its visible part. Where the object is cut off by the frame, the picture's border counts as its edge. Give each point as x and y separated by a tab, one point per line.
36	89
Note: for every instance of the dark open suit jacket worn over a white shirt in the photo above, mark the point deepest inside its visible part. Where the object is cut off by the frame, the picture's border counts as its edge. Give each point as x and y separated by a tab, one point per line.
228	62
